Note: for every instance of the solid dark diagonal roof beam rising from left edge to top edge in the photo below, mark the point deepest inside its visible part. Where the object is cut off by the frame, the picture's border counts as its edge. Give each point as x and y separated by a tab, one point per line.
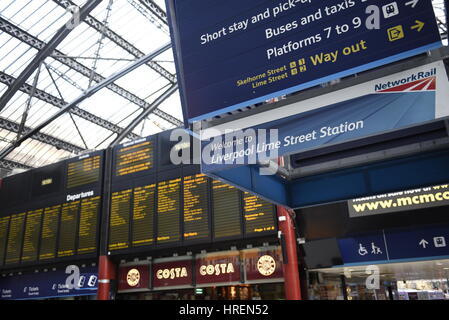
43	53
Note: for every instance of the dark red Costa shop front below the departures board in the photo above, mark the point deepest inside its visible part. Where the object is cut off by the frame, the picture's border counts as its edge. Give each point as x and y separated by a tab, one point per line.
250	274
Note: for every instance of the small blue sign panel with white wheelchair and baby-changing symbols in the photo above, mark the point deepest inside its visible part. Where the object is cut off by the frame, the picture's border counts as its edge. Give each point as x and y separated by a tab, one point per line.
364	248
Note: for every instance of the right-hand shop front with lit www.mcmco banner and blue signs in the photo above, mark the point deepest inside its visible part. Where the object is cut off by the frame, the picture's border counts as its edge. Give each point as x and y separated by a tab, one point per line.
385	247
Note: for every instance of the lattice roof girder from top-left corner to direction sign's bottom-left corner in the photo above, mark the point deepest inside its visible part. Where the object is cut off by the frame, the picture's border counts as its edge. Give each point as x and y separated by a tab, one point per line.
25	37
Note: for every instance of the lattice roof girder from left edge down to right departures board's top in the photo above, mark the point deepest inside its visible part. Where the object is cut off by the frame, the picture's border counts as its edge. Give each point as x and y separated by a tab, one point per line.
48	98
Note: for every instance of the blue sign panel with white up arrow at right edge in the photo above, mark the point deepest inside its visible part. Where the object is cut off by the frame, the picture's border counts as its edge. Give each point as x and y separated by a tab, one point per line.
426	242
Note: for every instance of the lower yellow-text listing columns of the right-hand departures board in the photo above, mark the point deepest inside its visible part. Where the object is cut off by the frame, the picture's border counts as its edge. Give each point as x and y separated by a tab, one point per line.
180	207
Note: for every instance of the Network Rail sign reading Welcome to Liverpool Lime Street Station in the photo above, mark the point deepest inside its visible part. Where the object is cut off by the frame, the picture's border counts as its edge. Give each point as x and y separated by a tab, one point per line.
386	104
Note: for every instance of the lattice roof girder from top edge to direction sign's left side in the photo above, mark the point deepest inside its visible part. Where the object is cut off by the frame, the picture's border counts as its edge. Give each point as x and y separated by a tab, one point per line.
121	42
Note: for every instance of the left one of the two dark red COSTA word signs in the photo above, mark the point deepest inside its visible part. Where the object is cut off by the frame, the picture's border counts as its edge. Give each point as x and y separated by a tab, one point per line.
171	274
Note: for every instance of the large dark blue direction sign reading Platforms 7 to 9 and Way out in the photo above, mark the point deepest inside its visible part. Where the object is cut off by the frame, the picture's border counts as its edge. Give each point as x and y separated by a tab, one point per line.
231	54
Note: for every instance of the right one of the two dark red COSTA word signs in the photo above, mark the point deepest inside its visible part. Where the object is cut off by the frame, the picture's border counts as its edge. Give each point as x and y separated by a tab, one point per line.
215	268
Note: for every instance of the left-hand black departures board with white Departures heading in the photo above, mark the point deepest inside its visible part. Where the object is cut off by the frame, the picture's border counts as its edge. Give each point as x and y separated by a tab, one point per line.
57	215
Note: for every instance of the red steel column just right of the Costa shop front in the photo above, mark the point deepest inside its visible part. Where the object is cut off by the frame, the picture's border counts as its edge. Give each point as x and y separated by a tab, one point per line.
291	271
